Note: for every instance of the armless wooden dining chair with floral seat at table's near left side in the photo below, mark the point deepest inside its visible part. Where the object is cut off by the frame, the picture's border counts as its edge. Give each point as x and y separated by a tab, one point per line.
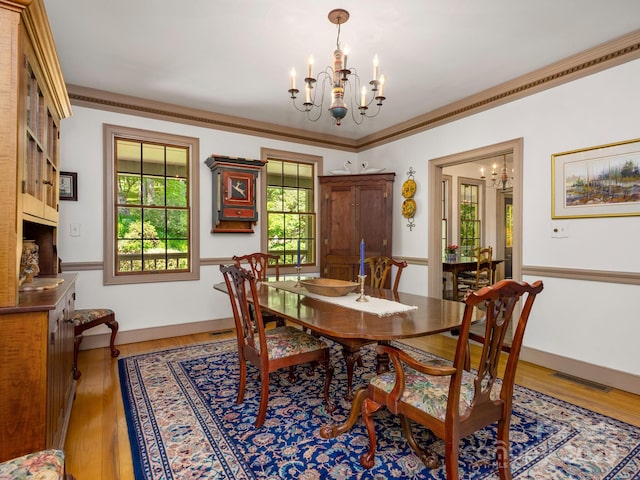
268	350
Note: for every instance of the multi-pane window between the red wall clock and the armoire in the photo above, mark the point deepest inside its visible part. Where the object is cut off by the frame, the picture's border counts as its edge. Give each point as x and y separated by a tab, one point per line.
290	207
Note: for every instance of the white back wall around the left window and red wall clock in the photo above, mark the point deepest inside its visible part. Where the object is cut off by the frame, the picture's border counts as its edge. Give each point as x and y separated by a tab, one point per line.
158	304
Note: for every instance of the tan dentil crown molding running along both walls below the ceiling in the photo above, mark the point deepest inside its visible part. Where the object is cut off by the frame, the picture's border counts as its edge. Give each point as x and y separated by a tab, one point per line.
602	57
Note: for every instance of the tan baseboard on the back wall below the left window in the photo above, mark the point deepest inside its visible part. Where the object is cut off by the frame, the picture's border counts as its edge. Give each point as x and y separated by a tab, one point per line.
101	340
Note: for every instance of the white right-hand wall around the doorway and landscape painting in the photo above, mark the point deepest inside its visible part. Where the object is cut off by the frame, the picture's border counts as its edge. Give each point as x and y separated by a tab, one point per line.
597	323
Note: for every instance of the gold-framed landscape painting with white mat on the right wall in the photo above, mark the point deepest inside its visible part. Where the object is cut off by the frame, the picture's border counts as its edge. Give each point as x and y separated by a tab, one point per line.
601	181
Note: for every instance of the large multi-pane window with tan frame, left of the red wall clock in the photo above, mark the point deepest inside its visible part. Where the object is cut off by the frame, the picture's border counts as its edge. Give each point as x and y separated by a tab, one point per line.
151	204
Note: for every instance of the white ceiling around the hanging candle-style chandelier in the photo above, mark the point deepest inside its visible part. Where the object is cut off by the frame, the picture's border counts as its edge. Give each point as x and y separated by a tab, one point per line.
234	56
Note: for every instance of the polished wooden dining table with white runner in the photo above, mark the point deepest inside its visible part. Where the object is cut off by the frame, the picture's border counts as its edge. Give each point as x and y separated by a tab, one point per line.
385	316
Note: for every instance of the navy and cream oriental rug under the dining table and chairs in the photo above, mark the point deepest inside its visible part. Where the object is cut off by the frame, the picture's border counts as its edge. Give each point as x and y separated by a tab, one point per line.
184	423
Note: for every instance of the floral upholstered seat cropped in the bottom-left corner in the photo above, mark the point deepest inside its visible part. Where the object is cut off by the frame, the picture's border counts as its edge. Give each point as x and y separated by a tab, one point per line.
43	465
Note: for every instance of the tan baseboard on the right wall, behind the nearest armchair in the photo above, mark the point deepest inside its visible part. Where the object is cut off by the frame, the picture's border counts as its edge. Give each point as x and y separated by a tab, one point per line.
595	373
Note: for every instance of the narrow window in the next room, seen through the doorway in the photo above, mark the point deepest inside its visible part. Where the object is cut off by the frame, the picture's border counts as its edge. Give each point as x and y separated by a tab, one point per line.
470	216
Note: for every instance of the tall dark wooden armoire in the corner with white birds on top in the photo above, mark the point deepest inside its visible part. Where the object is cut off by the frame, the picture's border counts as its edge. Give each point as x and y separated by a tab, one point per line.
353	208
